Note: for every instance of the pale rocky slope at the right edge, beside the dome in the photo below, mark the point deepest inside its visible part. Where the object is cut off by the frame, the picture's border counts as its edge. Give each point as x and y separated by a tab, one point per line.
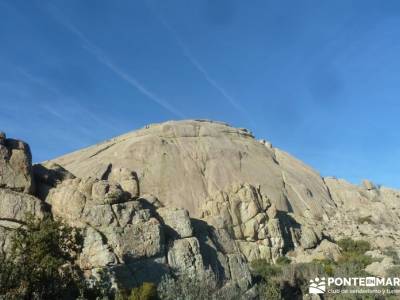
364	213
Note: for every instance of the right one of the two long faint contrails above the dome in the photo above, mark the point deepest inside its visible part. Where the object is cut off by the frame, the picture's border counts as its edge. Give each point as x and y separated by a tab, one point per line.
200	68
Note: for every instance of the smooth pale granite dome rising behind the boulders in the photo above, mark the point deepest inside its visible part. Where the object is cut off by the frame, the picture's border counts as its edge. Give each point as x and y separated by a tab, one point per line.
185	162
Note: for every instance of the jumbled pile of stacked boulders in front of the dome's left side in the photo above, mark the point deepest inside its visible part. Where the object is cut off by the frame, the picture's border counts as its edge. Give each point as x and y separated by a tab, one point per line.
127	234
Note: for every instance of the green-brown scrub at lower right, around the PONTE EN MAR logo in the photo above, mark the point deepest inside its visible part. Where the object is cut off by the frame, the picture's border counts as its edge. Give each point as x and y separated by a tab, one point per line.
285	280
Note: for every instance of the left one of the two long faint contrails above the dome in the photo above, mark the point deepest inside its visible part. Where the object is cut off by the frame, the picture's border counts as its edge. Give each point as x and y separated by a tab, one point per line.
106	61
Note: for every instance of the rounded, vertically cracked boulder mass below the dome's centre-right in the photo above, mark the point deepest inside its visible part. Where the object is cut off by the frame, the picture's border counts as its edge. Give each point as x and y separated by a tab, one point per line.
247	216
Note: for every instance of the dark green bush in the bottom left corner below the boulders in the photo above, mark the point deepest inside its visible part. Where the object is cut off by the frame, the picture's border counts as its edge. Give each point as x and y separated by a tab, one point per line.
40	264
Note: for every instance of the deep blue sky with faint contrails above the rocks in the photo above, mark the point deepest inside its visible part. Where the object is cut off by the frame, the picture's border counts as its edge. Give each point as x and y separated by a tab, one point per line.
319	79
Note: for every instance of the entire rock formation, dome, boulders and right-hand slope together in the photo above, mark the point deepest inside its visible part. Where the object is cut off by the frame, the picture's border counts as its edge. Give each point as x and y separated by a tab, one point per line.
222	199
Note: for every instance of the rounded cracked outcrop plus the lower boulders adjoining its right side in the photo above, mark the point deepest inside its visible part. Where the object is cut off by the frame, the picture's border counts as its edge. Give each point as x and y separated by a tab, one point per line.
259	230
